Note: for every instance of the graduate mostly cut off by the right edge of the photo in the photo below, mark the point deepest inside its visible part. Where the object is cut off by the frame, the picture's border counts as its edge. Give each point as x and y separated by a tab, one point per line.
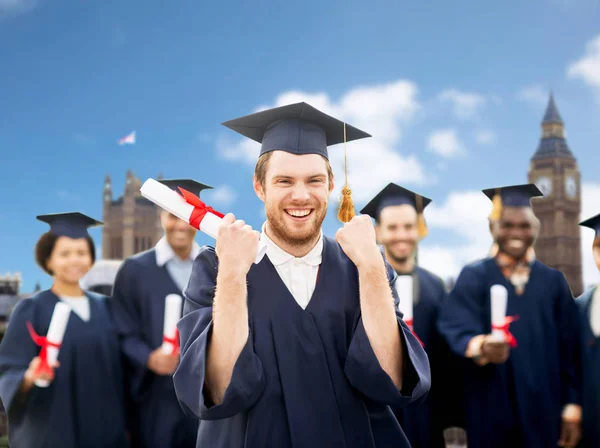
589	313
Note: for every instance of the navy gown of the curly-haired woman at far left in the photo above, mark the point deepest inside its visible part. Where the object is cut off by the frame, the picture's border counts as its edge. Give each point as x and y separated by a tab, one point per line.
84	405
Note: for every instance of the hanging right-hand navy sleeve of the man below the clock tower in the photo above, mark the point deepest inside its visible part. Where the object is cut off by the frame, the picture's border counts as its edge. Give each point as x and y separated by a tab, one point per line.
570	340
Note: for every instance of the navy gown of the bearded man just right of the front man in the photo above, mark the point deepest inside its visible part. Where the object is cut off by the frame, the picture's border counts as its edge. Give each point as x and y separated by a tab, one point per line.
424	423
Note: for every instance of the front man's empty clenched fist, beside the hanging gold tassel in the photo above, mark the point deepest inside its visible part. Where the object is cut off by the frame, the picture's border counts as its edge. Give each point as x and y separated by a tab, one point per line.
358	241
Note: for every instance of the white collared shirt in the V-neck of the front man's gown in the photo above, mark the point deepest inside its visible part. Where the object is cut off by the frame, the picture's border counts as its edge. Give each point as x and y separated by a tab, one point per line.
298	274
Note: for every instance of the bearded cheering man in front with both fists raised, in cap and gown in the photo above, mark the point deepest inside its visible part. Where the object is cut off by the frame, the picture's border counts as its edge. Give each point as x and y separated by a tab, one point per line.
283	353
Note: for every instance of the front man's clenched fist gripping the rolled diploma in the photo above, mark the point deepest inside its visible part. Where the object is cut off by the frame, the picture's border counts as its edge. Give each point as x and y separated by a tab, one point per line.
237	244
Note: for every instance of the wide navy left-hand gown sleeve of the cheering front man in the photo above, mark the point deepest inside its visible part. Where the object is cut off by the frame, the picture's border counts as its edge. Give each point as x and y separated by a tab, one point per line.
248	379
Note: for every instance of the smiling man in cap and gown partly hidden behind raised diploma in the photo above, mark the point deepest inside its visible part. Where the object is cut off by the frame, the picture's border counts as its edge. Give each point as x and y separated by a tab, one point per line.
141	286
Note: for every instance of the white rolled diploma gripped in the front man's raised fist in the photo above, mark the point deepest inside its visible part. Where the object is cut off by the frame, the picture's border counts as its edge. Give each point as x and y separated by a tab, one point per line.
172	202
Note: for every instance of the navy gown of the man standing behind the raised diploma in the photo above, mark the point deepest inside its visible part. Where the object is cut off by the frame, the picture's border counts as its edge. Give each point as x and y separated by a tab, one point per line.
139	299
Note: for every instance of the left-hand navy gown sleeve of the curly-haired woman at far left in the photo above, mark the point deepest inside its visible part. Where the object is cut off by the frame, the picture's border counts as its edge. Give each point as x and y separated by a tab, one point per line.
16	352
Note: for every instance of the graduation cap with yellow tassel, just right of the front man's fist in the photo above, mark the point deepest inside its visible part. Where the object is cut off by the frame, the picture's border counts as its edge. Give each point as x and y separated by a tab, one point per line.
394	194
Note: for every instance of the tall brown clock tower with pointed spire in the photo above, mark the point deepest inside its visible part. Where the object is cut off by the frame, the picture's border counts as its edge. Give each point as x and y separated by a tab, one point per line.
553	168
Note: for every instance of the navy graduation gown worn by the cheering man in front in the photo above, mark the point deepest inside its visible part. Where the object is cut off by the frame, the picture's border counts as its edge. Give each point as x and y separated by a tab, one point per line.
305	378
